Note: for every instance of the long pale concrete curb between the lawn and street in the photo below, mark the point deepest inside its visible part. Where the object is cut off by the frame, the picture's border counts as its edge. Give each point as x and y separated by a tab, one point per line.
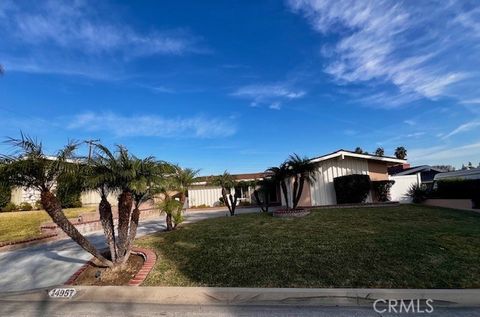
219	296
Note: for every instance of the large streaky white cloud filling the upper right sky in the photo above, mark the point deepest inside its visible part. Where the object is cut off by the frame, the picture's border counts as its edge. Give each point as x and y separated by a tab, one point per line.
383	42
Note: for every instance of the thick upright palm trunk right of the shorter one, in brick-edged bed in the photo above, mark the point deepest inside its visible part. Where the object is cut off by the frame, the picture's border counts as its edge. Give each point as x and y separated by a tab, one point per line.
125	203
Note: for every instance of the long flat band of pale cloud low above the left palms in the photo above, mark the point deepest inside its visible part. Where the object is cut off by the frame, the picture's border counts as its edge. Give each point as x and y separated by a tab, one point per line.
154	126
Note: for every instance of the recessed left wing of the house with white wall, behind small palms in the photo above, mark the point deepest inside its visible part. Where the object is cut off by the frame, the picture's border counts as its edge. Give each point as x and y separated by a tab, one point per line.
203	194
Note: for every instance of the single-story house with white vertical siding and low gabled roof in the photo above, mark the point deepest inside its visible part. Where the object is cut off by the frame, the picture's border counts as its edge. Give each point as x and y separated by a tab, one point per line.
320	192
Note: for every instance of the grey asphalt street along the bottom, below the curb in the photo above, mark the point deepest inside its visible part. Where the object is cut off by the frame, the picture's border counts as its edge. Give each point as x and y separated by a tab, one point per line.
12	308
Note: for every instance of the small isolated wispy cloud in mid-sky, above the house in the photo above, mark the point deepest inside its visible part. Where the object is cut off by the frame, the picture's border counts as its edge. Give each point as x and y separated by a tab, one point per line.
273	95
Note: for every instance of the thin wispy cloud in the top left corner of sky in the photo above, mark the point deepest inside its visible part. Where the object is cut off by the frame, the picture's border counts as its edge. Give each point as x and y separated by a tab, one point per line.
75	25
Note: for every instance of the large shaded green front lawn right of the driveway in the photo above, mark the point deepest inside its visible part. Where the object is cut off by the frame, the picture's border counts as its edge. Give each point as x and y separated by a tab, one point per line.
392	247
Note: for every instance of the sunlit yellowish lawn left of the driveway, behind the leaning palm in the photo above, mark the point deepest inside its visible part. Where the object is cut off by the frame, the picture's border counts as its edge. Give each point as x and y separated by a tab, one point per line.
20	225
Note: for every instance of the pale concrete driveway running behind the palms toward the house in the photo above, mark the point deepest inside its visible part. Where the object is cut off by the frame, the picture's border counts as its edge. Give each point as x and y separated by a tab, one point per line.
53	263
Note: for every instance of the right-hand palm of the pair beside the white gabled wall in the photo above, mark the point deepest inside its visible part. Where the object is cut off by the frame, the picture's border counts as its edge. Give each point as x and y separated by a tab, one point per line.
302	171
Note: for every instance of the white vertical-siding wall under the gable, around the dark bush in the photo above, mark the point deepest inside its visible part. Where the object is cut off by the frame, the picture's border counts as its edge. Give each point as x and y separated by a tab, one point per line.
322	190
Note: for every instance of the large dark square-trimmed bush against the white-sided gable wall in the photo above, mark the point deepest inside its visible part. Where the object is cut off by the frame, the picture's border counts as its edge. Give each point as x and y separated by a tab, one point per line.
351	189
